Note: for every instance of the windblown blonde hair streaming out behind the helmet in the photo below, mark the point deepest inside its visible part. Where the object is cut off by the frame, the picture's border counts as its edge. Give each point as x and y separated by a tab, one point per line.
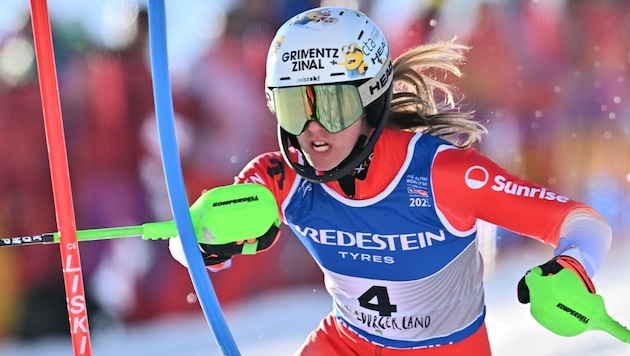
422	103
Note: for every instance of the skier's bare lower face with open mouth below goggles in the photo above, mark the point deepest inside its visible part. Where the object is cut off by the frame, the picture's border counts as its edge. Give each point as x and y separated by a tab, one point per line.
324	150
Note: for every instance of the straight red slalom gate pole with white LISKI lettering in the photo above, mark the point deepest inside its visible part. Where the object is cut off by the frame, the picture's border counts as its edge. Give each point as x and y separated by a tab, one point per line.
60	176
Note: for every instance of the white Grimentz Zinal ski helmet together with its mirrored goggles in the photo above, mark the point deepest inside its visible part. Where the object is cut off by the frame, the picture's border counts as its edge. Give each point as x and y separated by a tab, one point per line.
332	65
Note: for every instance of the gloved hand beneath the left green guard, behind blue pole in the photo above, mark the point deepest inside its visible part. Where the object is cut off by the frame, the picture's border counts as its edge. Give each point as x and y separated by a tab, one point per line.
216	257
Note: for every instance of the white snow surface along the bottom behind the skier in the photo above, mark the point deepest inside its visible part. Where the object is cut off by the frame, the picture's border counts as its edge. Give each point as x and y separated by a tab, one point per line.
277	323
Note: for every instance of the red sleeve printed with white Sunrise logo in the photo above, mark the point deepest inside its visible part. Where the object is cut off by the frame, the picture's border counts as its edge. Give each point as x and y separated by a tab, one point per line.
469	186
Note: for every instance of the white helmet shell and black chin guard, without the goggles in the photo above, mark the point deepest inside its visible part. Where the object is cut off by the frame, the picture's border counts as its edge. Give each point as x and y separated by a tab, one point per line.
332	46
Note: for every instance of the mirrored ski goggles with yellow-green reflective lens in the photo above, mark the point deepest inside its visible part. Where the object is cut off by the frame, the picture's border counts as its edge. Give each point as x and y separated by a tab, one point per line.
334	106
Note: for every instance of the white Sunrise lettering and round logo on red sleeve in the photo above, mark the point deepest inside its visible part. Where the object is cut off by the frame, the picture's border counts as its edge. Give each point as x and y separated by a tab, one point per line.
477	177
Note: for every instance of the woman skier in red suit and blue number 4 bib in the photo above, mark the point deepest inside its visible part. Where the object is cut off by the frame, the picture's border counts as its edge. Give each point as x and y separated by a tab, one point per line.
377	178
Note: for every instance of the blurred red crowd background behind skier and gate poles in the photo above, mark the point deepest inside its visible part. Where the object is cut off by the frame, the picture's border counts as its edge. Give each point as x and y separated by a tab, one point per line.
550	79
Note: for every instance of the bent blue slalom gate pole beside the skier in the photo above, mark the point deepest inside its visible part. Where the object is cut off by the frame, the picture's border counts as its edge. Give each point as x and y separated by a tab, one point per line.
175	182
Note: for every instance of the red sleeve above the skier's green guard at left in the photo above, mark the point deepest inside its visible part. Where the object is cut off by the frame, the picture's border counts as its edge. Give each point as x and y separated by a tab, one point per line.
270	170
